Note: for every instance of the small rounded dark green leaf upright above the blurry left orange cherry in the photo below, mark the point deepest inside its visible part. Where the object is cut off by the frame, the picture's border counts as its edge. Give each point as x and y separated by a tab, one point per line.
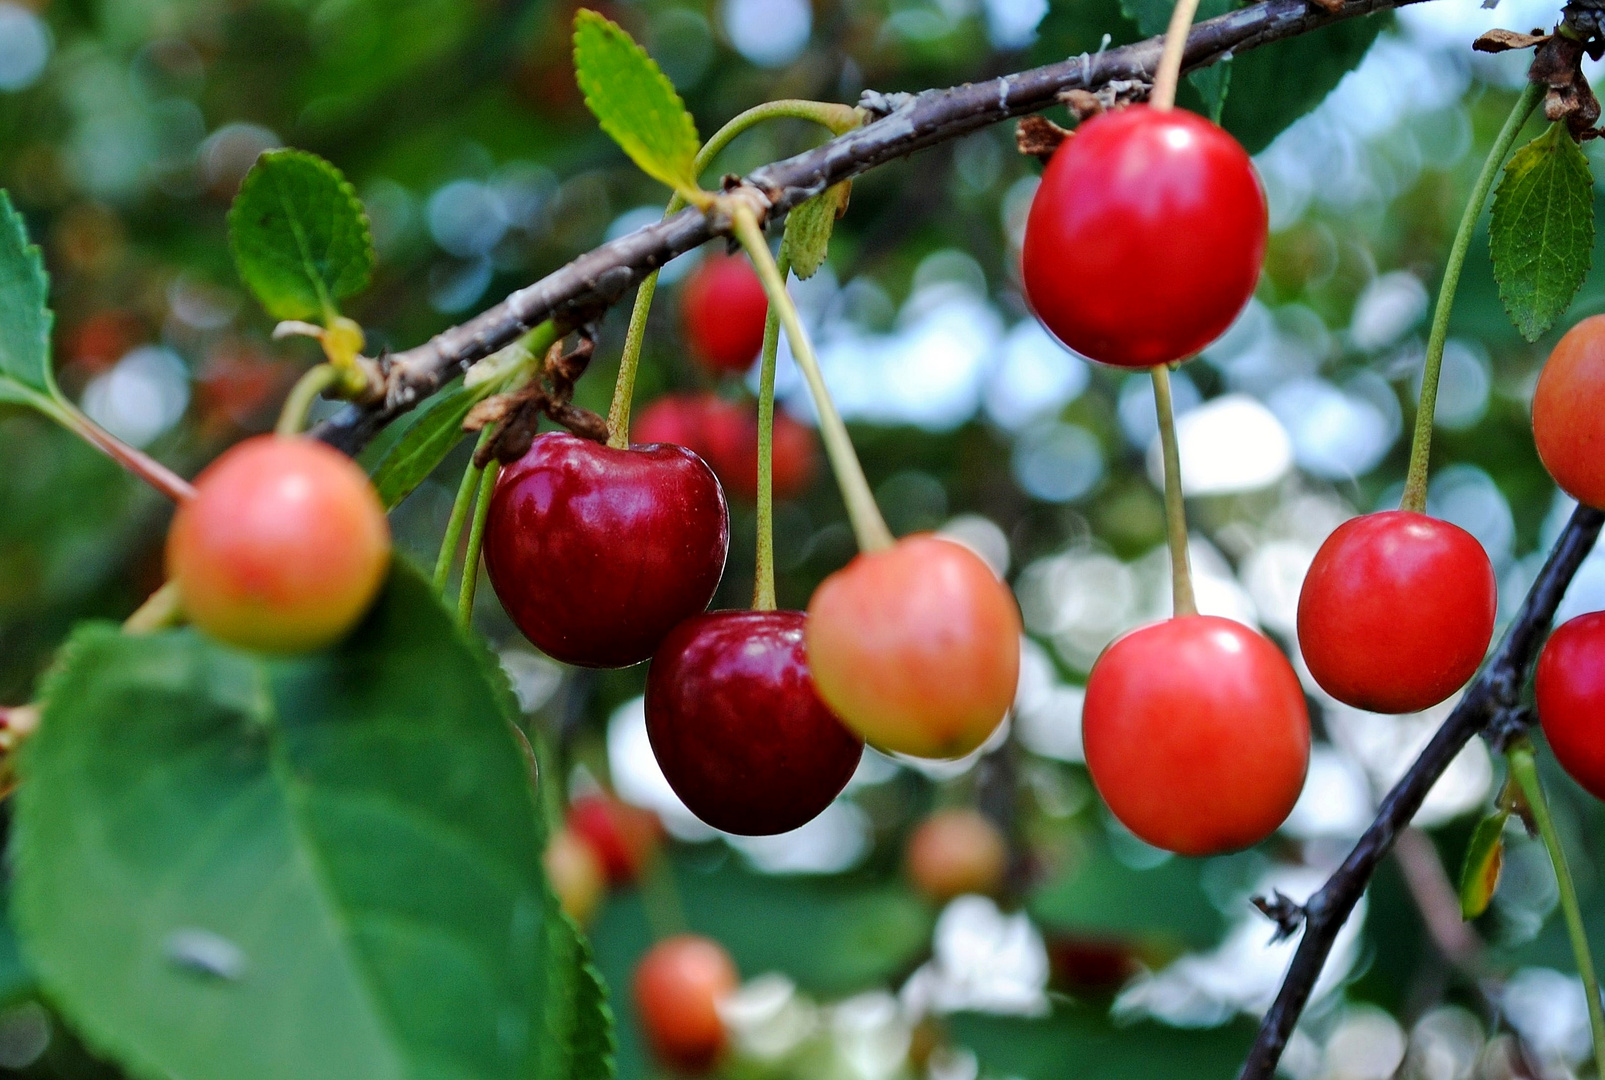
301	237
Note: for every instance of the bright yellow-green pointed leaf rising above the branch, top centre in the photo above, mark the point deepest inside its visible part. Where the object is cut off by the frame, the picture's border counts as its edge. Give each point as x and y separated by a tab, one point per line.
635	102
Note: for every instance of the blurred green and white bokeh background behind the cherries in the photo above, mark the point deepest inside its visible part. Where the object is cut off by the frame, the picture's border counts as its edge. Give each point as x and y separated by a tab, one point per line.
128	124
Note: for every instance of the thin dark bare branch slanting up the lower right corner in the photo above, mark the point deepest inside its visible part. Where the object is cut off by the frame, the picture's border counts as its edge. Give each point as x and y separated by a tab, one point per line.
1492	707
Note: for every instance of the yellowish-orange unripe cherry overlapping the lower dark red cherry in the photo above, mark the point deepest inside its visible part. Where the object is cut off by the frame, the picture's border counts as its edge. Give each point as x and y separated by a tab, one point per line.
917	648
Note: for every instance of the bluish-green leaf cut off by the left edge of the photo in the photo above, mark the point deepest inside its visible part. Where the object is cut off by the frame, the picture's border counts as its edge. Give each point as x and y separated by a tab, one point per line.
25	315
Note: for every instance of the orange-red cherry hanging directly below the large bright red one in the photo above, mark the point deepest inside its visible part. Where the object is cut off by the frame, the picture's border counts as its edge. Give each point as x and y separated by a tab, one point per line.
1197	734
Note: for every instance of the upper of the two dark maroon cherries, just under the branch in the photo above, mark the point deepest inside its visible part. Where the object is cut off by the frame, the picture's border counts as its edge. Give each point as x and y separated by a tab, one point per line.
599	553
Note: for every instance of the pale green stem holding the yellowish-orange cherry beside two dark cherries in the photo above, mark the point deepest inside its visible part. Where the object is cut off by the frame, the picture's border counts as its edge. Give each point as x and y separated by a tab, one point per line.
869	527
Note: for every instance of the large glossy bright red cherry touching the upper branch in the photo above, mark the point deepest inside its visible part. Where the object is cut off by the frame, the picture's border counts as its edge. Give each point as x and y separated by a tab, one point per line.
1147	237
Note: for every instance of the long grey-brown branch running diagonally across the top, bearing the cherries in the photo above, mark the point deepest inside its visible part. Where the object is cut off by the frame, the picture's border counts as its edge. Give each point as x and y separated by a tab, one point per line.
579	293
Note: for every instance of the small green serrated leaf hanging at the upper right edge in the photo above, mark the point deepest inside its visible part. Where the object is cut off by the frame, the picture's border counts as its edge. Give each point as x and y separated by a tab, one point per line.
1542	238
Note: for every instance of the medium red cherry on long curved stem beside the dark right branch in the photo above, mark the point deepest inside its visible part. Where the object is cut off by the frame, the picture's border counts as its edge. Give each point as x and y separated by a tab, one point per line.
1397	612
